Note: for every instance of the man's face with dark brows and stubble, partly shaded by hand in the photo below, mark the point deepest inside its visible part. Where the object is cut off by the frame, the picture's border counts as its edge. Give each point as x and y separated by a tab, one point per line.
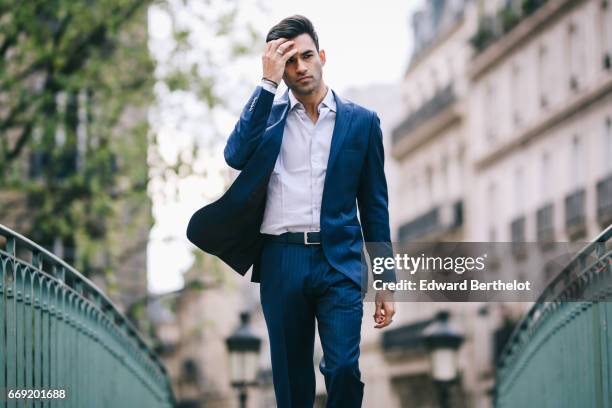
304	70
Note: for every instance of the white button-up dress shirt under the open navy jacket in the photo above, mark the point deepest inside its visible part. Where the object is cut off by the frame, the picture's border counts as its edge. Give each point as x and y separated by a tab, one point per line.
296	185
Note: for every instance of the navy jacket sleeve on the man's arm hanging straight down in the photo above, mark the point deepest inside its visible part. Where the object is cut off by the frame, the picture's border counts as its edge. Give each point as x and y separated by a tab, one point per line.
372	200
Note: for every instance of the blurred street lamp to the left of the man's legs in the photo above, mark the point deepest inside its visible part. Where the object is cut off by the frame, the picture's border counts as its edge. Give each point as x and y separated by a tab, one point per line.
243	347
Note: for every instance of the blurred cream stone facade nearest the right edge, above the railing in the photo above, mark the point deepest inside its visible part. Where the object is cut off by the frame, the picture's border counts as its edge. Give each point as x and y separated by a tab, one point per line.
541	124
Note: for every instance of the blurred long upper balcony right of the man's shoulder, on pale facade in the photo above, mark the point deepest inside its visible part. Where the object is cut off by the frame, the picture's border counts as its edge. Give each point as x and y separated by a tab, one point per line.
430	118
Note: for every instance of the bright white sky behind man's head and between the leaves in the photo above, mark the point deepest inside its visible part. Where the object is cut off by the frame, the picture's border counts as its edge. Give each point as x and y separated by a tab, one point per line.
364	43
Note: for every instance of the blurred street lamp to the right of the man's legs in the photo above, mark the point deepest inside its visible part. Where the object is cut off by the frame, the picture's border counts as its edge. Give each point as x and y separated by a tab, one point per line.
443	342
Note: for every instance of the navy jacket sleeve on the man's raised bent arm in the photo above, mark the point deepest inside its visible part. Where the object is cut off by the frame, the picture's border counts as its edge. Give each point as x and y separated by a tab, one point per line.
249	129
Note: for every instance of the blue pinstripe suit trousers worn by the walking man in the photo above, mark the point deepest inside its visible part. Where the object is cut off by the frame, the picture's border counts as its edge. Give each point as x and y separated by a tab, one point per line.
297	286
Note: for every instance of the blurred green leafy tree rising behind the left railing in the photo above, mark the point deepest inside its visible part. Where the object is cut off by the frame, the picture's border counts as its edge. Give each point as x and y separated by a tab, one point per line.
77	87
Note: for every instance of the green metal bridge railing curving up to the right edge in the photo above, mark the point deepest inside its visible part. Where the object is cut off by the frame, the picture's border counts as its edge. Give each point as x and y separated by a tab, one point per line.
560	354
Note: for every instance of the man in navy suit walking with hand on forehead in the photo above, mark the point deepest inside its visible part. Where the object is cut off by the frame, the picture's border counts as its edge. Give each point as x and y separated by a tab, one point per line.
306	159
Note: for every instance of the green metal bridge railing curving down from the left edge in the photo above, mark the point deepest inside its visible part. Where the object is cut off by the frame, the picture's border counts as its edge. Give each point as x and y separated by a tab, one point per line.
59	332
